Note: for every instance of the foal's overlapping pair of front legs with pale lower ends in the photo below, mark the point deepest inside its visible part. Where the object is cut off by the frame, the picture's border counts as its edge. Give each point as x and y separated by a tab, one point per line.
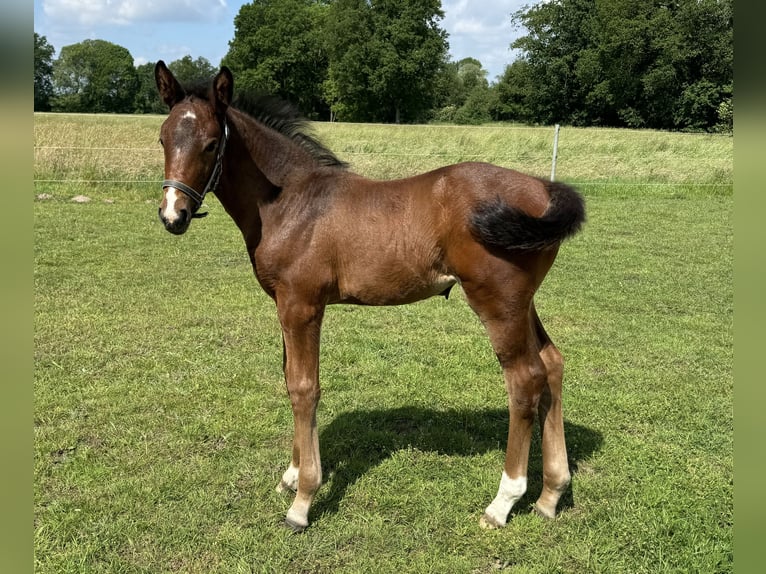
301	326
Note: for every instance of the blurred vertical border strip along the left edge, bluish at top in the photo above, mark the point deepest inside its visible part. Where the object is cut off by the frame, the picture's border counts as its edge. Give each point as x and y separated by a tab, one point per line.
16	281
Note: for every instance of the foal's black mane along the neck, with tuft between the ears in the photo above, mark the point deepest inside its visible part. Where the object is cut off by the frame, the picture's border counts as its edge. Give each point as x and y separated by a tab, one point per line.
279	115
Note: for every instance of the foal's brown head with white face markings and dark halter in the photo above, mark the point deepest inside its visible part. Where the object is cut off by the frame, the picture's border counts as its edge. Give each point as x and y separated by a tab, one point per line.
194	138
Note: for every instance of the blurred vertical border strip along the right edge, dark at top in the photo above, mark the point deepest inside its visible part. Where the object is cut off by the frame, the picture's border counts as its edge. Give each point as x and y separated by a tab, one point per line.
749	287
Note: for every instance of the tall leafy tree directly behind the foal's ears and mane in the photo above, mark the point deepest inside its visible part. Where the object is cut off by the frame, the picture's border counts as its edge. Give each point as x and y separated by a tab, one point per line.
277	49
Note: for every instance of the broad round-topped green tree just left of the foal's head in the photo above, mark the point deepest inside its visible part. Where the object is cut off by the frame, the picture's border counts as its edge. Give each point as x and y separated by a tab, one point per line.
94	76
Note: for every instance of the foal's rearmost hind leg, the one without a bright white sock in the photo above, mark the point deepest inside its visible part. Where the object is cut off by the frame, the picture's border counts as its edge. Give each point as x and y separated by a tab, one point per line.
556	476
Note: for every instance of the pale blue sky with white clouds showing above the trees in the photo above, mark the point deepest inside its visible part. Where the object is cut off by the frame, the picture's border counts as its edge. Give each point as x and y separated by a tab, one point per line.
167	30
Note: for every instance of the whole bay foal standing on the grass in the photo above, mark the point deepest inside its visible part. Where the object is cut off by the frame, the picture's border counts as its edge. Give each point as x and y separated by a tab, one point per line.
318	234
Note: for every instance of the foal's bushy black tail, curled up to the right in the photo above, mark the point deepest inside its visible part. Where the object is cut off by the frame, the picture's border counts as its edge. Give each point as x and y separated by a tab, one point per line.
497	224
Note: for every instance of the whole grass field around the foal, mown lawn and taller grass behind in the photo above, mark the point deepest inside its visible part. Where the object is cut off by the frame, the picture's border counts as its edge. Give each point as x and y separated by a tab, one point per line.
162	424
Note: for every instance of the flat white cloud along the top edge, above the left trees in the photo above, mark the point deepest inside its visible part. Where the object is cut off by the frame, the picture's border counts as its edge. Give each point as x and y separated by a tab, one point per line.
88	13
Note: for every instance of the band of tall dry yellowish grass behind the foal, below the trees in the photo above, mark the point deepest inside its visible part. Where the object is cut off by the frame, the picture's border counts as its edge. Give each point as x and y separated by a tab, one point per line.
120	155
